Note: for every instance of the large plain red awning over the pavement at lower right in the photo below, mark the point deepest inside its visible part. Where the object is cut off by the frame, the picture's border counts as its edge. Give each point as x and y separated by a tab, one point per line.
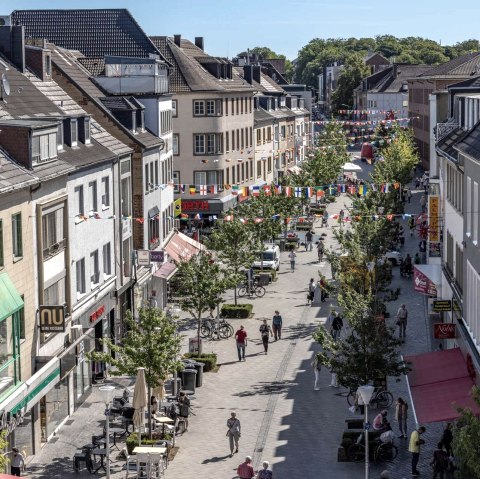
439	383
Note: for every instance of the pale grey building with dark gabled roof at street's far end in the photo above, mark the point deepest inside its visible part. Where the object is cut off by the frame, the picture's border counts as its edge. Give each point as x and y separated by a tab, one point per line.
385	93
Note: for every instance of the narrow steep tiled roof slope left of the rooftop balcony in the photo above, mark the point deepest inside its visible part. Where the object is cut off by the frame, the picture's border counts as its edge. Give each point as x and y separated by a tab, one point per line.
66	62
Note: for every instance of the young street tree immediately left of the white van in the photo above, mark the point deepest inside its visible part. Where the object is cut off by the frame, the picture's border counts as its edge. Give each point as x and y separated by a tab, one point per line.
235	247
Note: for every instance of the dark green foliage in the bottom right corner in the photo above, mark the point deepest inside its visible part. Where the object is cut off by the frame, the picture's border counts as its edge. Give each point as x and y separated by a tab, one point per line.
466	441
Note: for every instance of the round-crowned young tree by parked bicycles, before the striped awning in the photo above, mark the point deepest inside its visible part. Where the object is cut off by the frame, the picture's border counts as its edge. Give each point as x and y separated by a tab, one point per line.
200	282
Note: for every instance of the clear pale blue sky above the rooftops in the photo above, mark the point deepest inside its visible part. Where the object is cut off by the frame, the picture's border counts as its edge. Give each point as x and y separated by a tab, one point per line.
285	26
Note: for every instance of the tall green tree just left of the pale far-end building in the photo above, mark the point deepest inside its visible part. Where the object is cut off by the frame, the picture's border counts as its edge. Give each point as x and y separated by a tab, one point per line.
353	71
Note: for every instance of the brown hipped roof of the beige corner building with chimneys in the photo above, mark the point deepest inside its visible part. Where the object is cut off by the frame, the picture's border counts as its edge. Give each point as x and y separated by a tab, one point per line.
188	72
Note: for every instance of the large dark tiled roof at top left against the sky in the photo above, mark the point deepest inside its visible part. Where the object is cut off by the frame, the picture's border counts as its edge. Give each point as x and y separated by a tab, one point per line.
93	32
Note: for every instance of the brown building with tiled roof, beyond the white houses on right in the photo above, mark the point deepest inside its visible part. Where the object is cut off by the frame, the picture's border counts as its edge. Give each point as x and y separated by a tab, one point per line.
425	114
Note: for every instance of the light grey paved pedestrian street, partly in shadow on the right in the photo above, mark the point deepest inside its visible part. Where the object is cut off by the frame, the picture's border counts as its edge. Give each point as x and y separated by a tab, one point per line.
283	419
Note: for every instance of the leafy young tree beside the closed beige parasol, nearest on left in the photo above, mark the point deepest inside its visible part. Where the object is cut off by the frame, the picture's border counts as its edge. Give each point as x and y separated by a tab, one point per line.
150	343
